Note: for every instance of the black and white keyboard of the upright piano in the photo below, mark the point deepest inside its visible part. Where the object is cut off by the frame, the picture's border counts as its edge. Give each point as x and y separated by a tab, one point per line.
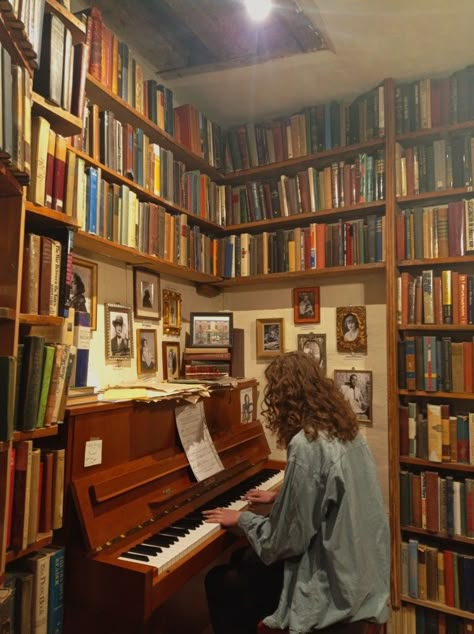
165	548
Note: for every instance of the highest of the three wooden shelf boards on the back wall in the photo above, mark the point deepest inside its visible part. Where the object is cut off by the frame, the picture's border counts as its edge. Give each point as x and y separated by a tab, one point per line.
294	165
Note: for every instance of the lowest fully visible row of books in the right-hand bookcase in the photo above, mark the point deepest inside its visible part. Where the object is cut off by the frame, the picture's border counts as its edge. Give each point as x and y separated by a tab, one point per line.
441	576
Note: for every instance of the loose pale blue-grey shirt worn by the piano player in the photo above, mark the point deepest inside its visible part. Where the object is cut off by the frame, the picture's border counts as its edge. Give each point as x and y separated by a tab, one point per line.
329	525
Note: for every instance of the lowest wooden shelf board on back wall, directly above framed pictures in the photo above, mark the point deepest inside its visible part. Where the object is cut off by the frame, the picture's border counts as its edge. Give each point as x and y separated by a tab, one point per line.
320	274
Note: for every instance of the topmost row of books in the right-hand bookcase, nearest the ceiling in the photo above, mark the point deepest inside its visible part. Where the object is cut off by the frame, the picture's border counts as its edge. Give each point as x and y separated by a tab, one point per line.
433	102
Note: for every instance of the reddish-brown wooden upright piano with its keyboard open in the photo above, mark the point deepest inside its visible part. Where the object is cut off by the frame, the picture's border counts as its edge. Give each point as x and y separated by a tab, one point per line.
132	522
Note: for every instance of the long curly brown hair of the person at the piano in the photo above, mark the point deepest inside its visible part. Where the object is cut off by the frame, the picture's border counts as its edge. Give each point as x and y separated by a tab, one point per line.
297	396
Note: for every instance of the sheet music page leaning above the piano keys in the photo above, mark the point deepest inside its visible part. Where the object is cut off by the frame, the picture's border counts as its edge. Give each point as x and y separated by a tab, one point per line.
196	440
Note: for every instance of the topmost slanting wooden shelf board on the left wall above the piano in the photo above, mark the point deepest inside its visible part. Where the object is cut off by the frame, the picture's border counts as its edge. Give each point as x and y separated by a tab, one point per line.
107	100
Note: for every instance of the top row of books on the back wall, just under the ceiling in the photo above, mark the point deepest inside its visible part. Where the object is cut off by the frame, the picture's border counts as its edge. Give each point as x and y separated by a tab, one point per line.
316	129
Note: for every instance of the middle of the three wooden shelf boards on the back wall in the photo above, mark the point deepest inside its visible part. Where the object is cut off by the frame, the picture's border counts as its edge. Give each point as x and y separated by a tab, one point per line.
360	210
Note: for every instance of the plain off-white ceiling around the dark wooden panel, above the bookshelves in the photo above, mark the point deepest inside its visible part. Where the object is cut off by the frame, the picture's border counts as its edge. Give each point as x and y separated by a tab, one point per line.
372	40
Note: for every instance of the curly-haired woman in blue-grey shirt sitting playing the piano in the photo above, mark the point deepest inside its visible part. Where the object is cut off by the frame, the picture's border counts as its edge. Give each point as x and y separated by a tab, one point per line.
321	556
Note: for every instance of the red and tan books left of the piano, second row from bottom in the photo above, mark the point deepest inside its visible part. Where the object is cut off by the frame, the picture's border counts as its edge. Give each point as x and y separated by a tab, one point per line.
36	494
